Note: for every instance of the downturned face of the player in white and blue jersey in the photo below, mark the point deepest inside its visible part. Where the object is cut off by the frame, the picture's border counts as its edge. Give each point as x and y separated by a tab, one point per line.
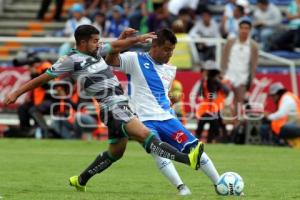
164	52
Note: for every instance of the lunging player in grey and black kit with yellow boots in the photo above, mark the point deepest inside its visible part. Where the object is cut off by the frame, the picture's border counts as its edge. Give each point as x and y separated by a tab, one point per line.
86	65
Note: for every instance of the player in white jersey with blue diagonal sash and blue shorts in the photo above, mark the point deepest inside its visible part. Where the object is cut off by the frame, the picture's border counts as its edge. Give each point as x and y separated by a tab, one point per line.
150	79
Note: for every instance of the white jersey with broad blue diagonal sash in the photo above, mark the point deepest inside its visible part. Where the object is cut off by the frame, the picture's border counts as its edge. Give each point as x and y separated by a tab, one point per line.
149	84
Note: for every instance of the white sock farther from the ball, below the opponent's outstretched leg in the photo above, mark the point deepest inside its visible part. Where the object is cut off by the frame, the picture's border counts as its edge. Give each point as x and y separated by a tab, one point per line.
167	168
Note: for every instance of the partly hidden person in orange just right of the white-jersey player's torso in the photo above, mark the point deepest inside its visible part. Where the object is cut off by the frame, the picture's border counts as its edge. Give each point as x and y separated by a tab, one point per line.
176	96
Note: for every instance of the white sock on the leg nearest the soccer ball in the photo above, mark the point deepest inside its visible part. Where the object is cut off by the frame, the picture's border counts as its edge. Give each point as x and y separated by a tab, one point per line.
207	166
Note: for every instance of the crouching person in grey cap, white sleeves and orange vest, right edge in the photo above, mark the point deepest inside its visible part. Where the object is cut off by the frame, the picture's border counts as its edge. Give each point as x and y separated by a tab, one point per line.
285	122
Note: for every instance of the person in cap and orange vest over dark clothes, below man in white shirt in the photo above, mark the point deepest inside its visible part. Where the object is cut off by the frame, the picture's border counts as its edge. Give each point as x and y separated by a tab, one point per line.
212	93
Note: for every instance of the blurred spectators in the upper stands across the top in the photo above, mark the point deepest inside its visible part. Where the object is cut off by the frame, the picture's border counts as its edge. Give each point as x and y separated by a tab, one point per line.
194	17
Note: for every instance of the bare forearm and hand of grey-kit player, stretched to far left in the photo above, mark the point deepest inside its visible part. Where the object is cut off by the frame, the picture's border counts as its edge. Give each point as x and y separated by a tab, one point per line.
34	83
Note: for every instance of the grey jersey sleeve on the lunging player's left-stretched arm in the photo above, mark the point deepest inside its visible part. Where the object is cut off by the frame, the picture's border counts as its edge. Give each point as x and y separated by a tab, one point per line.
63	67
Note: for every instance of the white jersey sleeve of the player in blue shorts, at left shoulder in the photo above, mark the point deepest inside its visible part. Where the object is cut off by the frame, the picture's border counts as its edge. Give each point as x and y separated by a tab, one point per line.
127	62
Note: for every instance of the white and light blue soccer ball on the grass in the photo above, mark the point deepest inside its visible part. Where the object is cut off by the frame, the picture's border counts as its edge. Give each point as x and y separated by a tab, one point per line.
230	183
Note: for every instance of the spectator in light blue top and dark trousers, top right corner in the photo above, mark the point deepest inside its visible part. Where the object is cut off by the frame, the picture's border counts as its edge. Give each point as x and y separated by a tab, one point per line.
290	40
